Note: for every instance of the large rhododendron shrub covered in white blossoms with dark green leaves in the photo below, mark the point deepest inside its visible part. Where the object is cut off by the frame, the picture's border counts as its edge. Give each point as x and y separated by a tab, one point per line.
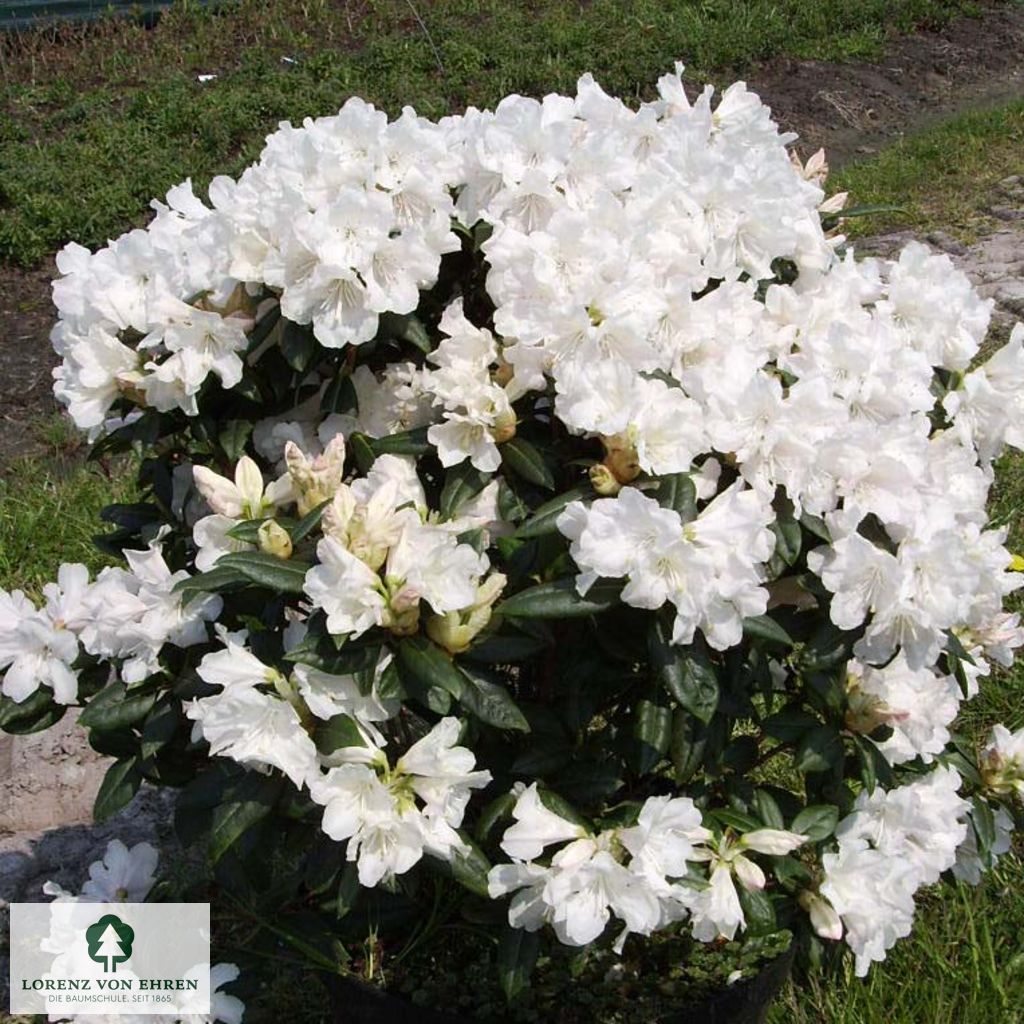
544	522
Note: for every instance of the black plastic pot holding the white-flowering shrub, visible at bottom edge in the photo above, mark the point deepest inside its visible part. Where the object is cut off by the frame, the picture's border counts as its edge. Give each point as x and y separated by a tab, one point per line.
746	1003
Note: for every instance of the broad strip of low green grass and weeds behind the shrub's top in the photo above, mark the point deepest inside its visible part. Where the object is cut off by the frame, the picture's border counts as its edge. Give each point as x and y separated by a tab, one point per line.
94	129
